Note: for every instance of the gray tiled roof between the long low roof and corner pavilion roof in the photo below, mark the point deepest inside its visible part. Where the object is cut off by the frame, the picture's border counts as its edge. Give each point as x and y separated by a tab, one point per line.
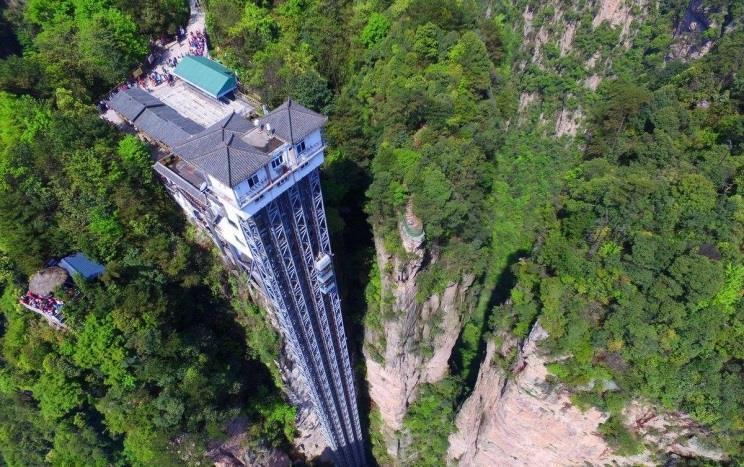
221	152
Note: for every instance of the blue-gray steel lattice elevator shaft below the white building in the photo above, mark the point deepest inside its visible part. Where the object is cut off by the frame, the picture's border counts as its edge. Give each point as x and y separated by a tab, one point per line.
288	239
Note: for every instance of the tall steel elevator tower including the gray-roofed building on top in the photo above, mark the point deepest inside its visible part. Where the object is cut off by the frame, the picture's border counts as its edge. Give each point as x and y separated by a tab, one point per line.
254	187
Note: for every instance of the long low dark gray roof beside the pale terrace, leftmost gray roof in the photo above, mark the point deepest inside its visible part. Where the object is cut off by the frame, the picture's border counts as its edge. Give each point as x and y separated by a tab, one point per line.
152	117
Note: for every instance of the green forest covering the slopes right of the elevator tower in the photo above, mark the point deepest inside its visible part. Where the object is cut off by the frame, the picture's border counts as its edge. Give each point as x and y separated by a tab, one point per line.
430	112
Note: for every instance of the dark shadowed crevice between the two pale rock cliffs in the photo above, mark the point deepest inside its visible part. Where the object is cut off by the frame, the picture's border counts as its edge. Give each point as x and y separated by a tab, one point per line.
466	358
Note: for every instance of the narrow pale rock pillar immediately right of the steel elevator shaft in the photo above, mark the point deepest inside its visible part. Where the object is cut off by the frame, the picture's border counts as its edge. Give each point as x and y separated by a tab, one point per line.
416	339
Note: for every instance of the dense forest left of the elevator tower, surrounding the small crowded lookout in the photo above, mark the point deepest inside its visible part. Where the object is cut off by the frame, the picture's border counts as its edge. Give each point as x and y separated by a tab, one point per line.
154	364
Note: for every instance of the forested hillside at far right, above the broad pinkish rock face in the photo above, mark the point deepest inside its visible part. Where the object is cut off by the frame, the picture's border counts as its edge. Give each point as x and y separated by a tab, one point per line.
639	273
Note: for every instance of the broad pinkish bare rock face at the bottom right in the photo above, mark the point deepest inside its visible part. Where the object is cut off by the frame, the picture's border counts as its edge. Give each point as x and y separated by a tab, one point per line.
518	417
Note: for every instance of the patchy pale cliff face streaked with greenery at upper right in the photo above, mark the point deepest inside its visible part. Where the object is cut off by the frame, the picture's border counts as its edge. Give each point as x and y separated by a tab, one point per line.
550	32
